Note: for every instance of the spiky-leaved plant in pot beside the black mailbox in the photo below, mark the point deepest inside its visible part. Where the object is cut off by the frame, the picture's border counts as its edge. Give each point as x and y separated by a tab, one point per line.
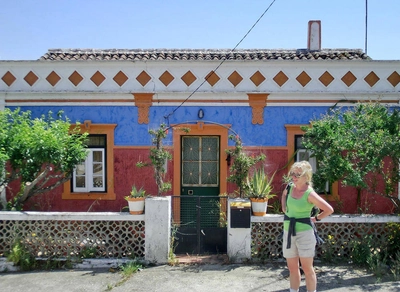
259	191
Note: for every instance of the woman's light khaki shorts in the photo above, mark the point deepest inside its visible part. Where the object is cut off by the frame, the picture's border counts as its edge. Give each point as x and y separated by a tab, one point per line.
302	245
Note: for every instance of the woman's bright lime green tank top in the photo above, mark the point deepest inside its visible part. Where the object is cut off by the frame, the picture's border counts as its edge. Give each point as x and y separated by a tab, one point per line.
298	208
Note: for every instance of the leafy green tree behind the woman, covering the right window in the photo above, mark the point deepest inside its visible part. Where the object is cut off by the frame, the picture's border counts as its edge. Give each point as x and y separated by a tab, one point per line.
359	146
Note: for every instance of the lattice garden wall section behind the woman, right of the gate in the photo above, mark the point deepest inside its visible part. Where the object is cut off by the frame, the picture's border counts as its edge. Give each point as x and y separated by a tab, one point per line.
338	232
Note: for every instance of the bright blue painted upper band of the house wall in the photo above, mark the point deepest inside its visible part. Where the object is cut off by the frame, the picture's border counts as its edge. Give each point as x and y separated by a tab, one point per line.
130	133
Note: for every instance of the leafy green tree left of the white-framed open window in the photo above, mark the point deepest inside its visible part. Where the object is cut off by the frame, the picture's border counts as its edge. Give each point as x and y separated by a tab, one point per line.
40	152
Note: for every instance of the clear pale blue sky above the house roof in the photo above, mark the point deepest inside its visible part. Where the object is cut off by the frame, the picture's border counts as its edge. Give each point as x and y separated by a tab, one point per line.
28	28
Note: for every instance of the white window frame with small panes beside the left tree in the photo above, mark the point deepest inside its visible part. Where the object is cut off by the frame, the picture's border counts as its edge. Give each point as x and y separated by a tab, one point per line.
88	165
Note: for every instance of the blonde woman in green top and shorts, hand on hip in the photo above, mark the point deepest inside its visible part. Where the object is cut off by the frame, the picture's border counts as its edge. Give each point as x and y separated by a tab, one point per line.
299	241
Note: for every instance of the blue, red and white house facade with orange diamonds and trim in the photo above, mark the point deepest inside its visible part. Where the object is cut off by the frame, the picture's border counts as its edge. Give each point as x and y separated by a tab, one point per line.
264	96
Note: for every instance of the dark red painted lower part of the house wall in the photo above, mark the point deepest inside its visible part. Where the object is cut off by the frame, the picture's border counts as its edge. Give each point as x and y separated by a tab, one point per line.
126	173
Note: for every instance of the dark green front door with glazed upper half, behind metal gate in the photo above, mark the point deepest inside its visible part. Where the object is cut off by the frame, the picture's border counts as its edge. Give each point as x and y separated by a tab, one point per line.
200	205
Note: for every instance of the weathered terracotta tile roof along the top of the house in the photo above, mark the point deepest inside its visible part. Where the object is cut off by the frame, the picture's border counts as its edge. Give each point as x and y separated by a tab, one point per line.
200	55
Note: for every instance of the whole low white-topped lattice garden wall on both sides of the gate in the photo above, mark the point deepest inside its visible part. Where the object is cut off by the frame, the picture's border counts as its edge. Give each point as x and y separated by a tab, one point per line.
121	235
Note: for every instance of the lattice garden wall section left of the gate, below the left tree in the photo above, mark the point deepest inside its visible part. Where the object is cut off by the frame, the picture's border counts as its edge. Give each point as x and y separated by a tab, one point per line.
94	236
